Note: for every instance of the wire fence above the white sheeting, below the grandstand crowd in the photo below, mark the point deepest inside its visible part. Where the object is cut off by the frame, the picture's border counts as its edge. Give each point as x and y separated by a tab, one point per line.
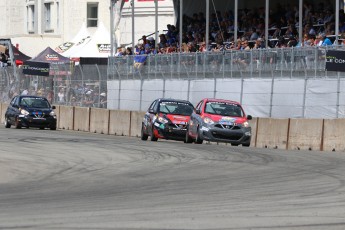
254	63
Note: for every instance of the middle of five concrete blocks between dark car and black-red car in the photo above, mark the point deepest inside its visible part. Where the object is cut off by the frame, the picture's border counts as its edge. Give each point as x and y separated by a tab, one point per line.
99	121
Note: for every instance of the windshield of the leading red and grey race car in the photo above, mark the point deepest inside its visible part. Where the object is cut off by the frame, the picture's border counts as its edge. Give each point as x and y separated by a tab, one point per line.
224	109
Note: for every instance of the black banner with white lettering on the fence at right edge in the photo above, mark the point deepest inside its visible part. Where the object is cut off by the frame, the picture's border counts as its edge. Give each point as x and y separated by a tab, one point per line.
335	60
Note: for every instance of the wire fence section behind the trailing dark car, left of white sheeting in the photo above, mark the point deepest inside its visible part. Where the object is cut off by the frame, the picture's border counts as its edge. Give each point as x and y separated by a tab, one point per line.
67	85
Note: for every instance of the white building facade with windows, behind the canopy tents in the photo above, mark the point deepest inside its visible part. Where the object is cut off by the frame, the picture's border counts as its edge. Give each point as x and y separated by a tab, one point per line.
34	25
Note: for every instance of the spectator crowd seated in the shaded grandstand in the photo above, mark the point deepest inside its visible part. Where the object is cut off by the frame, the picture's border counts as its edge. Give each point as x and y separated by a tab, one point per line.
318	27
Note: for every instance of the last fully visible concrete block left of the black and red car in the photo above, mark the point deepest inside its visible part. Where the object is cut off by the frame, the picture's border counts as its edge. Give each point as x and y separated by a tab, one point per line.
119	122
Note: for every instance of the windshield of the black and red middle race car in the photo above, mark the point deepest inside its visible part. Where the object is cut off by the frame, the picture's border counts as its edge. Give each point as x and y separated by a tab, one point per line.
178	108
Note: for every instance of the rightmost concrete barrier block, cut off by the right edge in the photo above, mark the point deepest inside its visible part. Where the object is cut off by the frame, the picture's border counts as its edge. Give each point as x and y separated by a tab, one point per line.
334	135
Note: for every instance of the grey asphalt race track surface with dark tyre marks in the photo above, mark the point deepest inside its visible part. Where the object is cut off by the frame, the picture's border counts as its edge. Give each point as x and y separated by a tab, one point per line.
77	180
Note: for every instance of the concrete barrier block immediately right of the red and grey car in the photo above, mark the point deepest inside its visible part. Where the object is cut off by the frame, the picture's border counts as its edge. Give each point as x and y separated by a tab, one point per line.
272	133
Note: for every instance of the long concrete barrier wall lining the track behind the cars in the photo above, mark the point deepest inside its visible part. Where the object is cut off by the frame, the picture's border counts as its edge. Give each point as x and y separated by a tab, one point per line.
287	133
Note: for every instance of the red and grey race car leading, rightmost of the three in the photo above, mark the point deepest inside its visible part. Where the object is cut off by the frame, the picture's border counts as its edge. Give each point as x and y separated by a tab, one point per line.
218	120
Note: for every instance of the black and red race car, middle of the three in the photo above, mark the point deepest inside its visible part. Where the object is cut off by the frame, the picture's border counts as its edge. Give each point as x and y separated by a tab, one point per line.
166	119
